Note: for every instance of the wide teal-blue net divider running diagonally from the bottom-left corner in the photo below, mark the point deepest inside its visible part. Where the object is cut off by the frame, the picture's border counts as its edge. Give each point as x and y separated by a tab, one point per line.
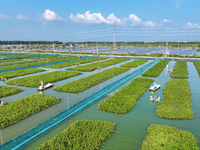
26	138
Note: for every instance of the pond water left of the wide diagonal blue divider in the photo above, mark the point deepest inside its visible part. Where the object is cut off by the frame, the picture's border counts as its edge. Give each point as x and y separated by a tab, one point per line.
67	99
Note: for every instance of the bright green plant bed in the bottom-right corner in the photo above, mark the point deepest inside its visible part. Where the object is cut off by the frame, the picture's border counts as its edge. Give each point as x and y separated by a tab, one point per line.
168	138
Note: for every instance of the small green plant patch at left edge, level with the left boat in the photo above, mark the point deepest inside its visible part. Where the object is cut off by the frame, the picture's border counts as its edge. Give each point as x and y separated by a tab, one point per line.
7	91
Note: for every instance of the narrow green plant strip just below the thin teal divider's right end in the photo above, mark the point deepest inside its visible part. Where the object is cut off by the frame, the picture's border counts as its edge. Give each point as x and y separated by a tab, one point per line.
75	62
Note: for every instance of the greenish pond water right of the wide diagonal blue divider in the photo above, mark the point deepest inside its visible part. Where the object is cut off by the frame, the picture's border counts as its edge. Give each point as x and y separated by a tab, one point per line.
131	128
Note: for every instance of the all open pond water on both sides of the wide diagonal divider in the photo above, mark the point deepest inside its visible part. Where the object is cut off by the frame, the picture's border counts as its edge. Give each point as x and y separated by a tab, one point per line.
130	128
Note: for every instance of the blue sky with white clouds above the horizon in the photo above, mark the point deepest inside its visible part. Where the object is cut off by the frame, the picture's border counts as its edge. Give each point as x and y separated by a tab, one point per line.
89	20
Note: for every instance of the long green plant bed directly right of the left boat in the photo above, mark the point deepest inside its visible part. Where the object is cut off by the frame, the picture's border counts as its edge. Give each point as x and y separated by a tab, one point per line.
82	84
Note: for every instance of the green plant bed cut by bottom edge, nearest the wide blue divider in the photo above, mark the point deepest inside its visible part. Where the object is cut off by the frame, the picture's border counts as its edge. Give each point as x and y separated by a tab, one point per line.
81	135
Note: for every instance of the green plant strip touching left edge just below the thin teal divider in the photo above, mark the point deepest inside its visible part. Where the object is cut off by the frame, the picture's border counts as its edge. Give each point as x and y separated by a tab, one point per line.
12	74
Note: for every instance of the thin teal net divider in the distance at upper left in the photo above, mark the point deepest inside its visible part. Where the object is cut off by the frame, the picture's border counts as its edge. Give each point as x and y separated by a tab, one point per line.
45	64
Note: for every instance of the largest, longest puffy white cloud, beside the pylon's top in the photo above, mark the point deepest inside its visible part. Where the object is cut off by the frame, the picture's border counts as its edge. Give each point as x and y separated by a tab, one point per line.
95	18
